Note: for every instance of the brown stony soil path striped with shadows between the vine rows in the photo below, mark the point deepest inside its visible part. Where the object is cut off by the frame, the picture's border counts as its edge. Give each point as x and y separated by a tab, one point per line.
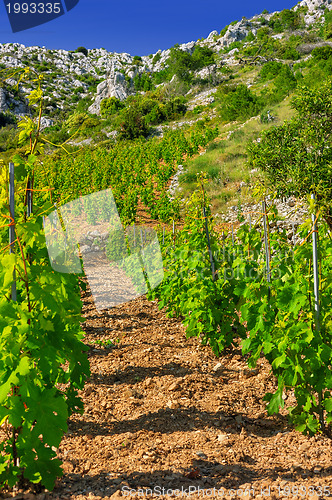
165	418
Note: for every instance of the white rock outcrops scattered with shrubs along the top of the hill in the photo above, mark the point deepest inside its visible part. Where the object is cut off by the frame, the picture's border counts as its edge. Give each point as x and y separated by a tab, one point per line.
70	70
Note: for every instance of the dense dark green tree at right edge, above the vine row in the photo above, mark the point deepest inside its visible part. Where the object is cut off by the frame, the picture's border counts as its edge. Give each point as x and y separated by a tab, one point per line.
297	156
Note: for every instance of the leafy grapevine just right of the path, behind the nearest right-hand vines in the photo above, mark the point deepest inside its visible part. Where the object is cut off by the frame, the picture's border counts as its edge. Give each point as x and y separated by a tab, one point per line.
208	306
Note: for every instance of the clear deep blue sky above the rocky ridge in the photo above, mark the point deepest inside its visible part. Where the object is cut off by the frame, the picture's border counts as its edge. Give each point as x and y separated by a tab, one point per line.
138	27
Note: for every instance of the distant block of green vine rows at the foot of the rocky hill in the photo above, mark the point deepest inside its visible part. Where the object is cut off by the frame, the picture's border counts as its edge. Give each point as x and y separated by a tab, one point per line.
136	171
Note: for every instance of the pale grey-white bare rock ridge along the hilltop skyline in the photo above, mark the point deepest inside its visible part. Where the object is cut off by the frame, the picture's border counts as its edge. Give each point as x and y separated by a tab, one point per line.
97	74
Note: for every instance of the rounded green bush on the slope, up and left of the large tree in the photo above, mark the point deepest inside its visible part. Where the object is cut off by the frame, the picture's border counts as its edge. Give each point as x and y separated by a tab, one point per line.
237	102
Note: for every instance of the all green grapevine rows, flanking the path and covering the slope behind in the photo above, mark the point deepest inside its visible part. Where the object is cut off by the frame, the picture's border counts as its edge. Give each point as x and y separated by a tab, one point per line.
251	291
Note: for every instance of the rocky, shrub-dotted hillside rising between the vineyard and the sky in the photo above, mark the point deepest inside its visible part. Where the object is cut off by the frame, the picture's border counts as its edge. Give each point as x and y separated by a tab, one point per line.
239	80
